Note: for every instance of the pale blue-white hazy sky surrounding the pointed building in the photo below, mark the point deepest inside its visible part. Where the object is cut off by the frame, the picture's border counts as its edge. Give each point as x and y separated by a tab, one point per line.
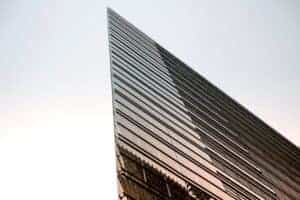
56	134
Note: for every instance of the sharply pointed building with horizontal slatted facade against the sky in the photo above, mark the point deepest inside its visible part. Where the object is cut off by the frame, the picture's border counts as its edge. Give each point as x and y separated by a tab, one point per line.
180	137
